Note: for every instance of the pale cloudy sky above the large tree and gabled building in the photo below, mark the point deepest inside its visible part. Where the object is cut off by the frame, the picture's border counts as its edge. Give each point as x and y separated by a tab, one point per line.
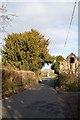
49	18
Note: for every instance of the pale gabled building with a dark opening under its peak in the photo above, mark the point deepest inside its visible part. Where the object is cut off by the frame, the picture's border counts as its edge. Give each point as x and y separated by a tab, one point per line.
70	64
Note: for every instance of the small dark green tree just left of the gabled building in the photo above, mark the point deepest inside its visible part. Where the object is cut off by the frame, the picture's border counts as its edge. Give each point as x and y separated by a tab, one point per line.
55	65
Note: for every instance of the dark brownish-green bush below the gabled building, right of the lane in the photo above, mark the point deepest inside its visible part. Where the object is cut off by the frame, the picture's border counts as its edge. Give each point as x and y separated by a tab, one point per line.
69	82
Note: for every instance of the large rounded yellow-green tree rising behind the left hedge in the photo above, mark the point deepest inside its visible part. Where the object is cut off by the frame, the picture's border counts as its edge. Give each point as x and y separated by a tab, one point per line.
26	51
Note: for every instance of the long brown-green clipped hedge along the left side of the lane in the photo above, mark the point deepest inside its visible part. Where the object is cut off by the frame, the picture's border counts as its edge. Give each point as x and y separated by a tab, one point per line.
14	81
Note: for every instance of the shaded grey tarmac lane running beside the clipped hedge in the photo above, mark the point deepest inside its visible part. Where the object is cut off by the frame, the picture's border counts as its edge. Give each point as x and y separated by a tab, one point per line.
40	101
